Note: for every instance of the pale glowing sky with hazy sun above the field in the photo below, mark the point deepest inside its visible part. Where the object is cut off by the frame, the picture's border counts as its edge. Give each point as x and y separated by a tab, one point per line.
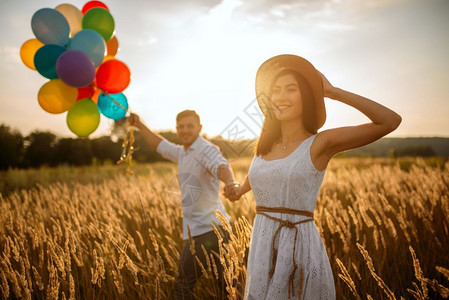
204	54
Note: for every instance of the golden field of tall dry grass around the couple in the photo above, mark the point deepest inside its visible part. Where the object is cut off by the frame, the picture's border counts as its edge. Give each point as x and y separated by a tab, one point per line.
97	233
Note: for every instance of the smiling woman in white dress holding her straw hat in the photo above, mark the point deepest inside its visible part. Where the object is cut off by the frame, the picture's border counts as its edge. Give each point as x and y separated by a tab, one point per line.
287	259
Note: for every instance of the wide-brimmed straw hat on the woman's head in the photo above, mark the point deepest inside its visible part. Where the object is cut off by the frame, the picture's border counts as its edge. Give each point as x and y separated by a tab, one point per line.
273	66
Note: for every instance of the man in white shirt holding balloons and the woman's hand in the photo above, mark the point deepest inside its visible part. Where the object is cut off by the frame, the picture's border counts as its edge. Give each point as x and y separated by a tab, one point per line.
201	167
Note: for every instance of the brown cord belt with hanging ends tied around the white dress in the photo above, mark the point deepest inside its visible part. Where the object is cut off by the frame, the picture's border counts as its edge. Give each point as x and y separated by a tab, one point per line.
263	210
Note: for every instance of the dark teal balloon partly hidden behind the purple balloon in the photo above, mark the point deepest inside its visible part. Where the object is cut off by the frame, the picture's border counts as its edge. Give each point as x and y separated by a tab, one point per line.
45	60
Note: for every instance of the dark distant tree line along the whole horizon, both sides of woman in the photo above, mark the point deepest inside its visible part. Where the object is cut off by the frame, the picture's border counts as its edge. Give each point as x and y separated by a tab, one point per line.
43	148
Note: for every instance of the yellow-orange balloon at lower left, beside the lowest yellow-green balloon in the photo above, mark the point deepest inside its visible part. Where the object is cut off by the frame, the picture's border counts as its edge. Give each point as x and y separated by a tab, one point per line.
56	97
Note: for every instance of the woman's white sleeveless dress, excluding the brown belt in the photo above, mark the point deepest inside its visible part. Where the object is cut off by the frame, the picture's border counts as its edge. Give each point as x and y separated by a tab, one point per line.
291	182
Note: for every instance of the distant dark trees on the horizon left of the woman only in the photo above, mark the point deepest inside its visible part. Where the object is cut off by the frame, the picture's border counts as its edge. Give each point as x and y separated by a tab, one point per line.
43	148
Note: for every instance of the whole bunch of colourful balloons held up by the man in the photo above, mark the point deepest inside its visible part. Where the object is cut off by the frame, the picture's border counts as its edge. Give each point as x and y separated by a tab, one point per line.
76	51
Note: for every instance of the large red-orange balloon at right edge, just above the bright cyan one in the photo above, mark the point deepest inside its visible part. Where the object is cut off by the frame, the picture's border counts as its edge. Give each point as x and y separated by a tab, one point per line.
113	76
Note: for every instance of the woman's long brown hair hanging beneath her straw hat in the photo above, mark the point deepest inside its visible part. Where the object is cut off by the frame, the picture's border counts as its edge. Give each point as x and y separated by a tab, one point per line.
271	128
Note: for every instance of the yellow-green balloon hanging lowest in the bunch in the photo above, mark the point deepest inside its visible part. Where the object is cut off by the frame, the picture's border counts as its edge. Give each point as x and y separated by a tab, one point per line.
83	118
